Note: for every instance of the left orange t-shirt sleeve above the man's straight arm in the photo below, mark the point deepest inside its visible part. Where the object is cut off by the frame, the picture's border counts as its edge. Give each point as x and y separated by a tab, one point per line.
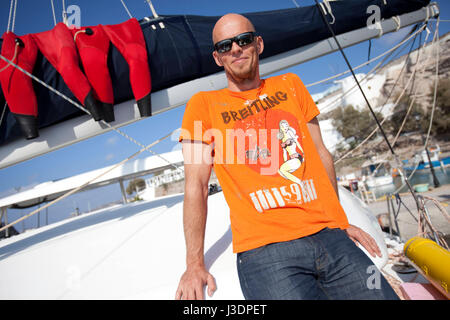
196	120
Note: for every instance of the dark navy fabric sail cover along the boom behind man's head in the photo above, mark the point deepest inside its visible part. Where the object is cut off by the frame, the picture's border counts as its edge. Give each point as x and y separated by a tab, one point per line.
182	50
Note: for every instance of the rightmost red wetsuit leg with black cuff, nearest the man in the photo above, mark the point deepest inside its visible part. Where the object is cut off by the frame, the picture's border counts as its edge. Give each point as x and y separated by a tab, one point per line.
128	38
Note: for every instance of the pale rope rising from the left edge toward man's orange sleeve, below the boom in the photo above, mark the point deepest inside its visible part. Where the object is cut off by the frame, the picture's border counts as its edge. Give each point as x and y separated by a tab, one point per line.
86	183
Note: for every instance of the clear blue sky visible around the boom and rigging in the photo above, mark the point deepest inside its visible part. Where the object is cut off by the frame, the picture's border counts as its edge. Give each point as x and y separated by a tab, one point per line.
35	16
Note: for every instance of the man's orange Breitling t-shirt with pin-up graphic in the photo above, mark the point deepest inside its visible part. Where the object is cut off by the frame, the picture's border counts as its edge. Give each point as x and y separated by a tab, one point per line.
265	159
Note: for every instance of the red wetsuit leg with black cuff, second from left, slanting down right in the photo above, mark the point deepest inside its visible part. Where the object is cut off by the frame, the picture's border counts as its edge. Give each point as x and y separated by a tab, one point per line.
58	47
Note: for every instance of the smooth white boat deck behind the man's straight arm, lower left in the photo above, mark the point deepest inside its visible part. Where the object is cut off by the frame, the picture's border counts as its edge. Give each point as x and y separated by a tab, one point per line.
133	251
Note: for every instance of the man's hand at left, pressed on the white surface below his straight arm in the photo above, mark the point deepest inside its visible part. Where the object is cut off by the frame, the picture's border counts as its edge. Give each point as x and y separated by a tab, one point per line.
192	283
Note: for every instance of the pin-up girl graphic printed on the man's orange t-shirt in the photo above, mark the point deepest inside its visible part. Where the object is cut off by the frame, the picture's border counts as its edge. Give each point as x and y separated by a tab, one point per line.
293	154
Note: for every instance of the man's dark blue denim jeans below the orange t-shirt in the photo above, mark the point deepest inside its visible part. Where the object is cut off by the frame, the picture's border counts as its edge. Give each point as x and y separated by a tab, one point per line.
325	265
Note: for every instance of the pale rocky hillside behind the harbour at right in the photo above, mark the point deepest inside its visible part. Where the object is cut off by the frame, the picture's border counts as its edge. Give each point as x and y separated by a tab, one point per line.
378	87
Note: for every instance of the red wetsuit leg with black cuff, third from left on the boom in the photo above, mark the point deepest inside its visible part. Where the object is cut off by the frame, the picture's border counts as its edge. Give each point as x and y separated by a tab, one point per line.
93	45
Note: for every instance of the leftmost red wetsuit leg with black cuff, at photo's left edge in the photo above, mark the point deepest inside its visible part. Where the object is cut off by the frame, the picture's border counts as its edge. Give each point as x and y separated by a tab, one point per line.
17	86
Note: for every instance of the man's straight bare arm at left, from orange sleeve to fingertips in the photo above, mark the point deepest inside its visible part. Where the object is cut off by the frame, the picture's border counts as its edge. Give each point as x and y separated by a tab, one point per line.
197	171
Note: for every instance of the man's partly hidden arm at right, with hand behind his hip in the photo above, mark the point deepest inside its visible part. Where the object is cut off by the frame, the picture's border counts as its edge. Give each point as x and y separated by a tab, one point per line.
356	234
